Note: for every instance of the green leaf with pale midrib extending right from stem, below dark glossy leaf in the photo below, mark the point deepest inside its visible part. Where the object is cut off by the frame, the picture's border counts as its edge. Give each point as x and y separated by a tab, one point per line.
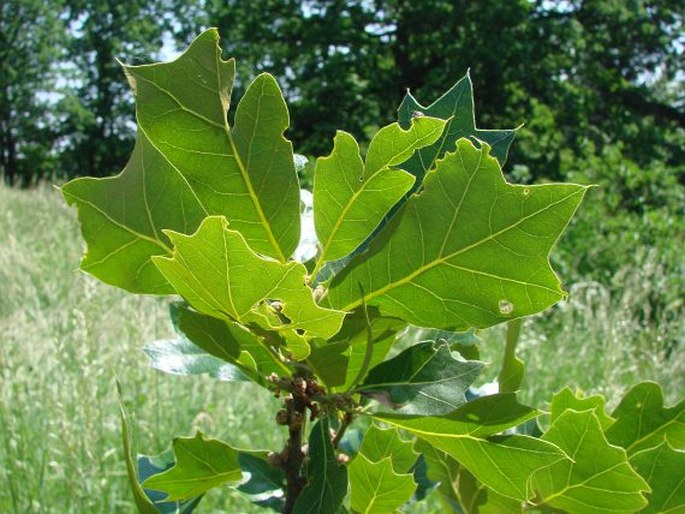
502	463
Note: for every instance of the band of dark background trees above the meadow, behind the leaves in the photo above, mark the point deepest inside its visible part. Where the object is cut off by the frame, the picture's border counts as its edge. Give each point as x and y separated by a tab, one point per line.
580	74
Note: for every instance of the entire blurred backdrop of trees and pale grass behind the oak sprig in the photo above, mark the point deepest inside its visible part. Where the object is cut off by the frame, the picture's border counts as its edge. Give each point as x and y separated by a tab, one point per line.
598	84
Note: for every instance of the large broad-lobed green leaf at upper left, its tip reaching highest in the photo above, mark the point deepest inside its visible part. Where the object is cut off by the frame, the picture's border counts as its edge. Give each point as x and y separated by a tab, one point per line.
188	164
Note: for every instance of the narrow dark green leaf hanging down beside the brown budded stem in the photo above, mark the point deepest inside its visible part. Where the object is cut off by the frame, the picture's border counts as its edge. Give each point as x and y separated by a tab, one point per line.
326	480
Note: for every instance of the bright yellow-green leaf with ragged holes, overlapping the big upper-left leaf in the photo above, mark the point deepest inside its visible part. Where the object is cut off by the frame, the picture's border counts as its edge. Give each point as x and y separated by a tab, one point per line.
218	274
